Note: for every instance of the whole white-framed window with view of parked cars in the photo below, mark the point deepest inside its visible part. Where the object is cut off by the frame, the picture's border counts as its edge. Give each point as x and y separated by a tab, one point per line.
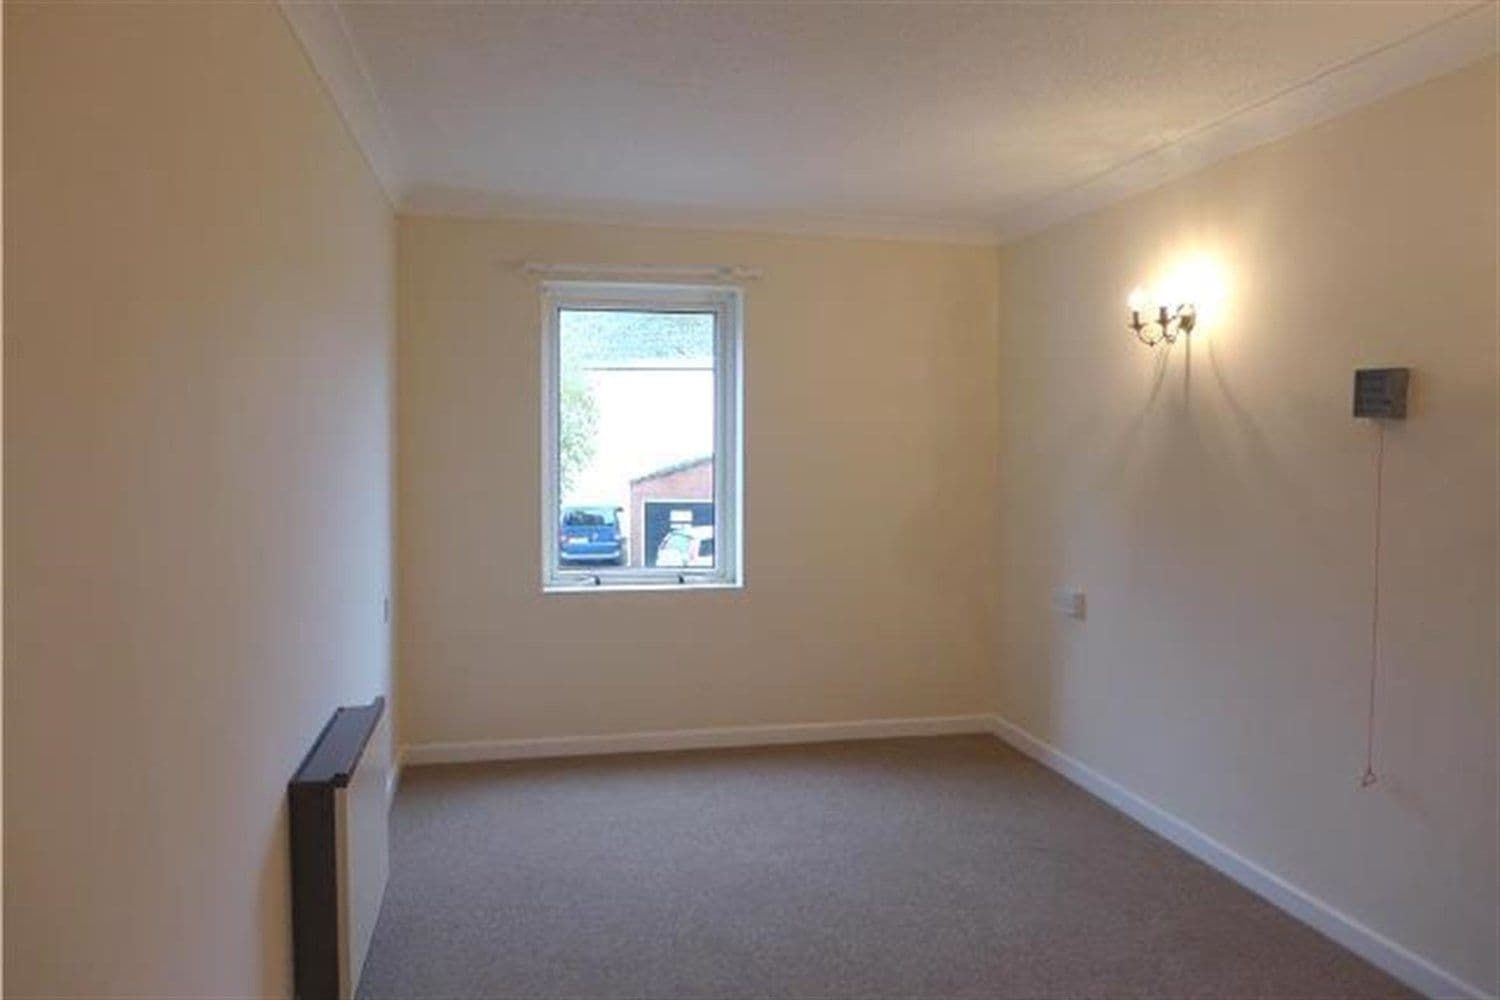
641	436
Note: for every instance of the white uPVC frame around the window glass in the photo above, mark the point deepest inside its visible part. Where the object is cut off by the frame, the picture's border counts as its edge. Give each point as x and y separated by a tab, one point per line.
727	302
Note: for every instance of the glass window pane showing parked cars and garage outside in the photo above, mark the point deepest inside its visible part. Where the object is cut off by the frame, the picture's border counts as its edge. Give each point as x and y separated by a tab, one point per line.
635	440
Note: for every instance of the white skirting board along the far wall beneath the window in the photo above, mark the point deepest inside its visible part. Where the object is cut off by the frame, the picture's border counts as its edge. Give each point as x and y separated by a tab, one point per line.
695	740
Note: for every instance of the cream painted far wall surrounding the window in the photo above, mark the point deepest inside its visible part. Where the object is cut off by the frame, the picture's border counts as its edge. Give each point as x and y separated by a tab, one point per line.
871	431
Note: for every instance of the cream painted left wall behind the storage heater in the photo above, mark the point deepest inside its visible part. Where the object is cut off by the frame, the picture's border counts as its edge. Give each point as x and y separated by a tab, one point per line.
200	278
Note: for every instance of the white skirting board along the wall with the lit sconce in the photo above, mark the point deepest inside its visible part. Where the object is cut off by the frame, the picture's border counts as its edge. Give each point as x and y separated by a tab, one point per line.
1375	948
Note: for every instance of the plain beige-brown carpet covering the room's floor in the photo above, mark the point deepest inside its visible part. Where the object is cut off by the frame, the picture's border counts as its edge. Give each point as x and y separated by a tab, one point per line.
949	867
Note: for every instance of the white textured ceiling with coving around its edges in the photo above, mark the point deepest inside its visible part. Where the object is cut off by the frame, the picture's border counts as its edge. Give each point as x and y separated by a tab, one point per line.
911	118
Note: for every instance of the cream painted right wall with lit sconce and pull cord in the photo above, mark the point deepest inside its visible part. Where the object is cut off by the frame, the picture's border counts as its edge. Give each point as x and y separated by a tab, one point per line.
1216	501
